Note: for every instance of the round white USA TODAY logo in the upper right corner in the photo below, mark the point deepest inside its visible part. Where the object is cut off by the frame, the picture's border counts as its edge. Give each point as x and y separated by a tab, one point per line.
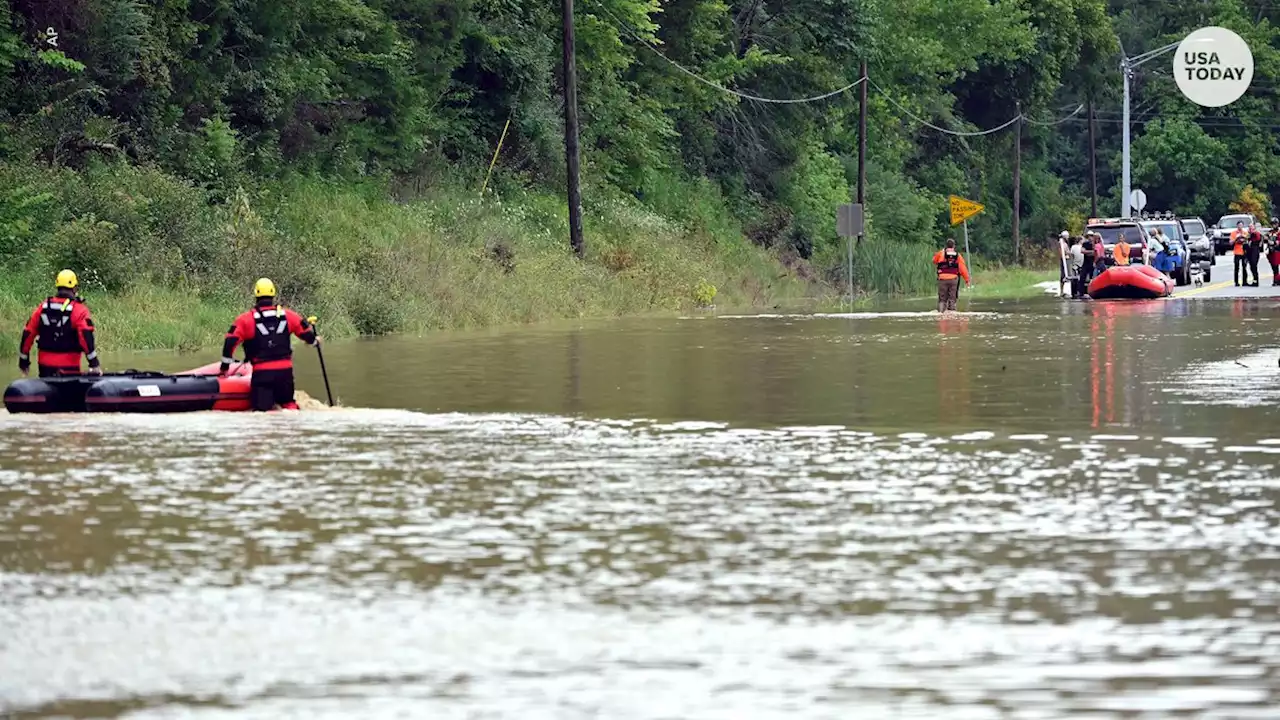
1214	67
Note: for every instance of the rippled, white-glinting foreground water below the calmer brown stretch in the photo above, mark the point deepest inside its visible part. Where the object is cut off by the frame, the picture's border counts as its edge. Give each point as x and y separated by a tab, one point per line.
364	563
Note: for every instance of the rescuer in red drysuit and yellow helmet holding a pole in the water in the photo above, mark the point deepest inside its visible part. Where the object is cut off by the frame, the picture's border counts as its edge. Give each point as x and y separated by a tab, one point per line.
266	332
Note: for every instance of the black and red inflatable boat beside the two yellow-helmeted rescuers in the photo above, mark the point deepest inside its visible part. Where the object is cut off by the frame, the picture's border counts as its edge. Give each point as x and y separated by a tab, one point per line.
134	391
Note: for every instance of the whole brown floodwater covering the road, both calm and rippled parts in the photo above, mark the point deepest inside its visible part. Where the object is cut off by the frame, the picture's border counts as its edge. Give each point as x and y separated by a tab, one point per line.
1034	511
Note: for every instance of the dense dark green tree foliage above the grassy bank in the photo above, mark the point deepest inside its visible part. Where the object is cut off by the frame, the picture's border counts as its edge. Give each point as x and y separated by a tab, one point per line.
225	93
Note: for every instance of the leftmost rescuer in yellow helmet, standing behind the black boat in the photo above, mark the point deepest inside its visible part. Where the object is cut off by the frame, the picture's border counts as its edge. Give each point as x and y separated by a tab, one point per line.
62	330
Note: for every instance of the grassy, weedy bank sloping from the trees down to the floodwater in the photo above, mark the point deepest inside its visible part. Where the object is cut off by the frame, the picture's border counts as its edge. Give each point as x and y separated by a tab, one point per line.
164	266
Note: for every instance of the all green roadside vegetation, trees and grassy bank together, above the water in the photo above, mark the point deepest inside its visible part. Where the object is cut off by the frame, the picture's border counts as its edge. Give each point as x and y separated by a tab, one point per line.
171	153
